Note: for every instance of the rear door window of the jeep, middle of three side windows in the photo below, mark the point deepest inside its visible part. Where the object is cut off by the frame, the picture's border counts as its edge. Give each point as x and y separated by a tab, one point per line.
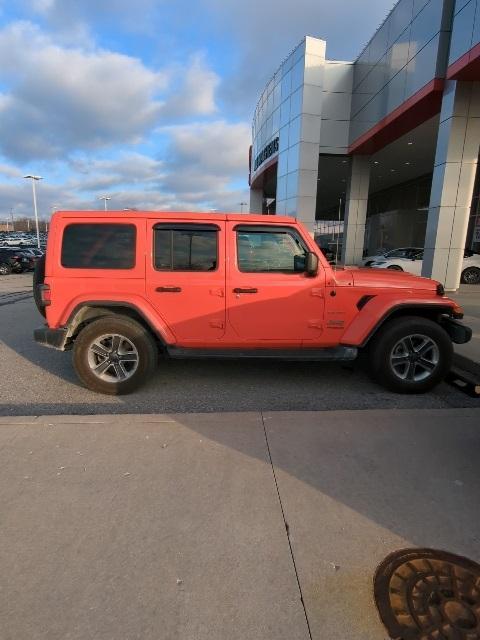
185	248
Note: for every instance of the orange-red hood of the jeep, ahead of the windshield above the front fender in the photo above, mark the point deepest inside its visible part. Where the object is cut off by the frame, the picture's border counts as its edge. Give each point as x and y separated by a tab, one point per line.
383	278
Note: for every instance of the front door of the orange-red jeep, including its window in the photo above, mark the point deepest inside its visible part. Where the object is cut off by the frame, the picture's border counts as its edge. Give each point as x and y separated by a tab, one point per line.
270	298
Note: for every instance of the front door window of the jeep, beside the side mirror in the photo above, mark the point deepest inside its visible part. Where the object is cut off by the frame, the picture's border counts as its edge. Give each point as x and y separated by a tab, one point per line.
270	251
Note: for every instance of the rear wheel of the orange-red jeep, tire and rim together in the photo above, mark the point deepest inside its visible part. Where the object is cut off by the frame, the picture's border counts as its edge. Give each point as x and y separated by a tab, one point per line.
134	355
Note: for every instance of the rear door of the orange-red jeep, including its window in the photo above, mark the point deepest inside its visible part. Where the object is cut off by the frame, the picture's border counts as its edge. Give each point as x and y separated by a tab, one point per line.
186	278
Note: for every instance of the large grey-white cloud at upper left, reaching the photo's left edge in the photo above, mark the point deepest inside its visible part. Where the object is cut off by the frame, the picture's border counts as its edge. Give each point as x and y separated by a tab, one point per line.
69	99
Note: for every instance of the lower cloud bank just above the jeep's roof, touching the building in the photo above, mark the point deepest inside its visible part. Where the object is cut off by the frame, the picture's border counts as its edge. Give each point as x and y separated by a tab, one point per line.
204	166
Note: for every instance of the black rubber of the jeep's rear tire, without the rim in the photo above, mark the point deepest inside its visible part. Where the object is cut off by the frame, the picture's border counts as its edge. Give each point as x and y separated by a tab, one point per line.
136	333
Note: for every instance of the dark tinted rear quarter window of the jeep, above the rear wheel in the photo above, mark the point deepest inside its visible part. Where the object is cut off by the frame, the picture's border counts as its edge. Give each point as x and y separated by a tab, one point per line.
99	246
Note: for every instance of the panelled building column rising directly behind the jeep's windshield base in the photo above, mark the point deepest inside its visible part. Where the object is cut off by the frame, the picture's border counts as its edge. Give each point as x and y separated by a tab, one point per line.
356	210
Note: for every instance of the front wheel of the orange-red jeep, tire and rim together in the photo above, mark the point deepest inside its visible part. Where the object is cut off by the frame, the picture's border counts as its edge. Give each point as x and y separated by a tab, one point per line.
396	360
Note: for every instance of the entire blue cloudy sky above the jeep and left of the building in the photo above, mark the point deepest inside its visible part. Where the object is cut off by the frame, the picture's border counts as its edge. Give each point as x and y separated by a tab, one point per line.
147	101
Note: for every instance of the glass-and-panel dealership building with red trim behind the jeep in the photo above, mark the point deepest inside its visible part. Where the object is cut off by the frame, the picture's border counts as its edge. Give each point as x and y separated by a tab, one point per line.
381	152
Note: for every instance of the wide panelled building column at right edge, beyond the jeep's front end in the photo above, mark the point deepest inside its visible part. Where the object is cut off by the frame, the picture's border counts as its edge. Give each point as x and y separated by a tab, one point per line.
453	181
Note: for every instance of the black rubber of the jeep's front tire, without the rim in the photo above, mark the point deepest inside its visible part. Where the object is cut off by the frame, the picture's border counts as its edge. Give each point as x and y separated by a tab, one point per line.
382	345
